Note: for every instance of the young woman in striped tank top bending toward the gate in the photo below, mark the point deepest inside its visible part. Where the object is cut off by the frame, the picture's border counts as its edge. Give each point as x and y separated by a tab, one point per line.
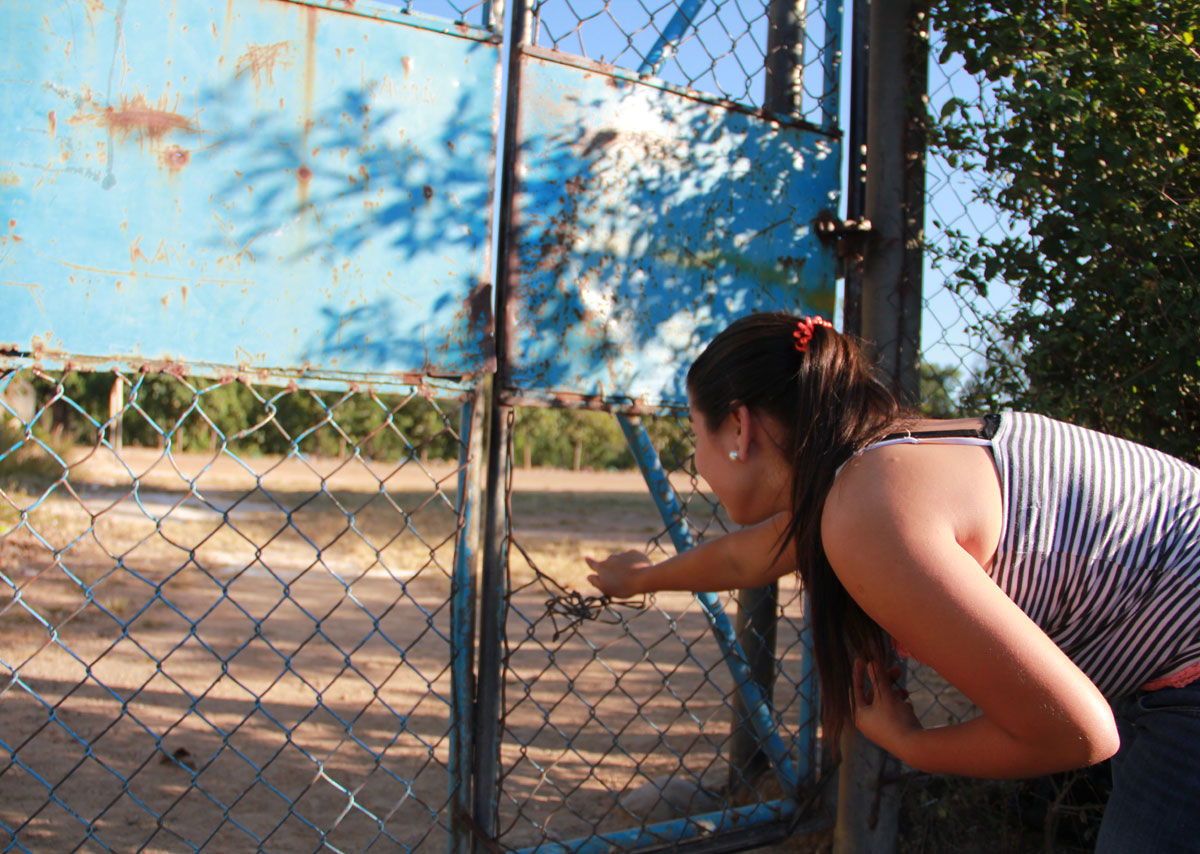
1052	574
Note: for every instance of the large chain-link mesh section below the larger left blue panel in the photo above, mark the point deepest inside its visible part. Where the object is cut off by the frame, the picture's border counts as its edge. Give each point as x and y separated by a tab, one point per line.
225	615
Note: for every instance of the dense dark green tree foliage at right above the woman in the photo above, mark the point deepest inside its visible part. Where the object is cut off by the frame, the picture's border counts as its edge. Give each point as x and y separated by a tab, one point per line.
1093	151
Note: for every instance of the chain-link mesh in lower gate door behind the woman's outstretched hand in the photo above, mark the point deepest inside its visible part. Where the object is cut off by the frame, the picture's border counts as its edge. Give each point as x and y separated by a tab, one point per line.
619	715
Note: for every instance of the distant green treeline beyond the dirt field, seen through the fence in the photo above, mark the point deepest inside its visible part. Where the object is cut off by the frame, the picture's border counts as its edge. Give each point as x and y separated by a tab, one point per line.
196	414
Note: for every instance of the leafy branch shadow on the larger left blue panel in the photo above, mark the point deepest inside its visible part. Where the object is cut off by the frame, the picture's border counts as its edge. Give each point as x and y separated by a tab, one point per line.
381	213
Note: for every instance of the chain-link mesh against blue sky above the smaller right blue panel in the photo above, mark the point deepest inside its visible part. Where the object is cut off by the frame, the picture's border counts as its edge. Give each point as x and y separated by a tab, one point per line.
718	47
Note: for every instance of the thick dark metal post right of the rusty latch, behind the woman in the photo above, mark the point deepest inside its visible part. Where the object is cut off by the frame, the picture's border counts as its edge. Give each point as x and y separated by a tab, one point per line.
868	799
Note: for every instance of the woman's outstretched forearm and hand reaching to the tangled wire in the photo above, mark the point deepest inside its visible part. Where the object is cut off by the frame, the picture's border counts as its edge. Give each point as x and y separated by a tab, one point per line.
746	558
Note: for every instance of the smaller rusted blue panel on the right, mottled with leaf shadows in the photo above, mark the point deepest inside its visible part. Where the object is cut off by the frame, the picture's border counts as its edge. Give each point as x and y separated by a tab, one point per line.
649	220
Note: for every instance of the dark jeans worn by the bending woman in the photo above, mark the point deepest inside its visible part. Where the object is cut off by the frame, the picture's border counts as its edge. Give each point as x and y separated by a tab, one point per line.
1156	775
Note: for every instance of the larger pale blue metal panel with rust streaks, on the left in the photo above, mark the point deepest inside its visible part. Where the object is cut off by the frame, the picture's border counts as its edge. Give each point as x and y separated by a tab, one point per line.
260	184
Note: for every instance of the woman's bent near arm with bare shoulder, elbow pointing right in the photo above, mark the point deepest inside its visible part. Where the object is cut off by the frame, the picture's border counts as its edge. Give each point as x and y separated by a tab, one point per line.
895	537
